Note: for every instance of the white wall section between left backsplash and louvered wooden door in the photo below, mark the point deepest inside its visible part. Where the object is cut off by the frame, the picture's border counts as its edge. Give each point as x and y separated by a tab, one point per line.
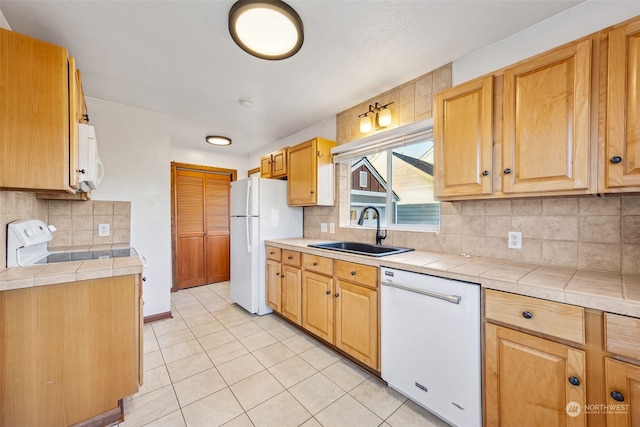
135	147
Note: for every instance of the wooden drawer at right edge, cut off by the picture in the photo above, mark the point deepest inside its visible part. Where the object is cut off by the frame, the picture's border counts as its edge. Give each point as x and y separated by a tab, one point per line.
621	335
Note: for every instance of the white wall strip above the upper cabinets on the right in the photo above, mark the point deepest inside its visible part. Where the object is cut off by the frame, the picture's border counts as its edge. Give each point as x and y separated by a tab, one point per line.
581	20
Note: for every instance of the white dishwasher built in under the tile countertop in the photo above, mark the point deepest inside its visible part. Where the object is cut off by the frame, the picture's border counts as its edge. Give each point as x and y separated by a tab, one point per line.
430	343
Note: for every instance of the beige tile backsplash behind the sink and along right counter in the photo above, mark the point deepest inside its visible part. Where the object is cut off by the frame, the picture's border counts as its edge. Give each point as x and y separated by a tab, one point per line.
583	232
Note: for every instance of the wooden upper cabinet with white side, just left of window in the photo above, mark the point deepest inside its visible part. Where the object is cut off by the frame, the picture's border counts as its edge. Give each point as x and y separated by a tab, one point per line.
310	173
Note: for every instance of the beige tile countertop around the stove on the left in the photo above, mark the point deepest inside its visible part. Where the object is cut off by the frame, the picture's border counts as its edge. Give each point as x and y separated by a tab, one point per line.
71	271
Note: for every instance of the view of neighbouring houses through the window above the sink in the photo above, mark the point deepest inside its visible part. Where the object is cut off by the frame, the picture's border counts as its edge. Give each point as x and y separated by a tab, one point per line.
399	183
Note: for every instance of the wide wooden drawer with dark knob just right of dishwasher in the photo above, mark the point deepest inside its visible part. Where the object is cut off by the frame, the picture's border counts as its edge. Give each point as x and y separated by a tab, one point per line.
546	317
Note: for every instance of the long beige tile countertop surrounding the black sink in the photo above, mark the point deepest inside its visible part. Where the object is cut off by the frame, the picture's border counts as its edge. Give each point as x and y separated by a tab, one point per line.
612	292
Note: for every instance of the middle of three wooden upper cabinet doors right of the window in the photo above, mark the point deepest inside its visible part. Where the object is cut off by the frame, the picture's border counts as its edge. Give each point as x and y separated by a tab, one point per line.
547	122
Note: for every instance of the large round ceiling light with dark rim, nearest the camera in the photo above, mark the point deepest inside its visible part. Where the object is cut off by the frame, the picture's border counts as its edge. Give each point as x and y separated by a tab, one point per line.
266	29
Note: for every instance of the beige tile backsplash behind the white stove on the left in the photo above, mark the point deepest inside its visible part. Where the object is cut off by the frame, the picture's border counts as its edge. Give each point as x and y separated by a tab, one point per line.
76	221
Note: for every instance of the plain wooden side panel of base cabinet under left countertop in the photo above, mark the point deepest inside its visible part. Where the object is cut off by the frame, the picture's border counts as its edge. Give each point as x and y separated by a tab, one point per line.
69	351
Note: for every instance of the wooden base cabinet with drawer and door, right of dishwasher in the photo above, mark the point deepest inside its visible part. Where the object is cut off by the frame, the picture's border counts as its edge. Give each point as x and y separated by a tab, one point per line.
530	378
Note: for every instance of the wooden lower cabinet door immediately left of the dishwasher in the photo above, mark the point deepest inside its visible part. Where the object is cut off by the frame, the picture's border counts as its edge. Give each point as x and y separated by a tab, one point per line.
357	329
